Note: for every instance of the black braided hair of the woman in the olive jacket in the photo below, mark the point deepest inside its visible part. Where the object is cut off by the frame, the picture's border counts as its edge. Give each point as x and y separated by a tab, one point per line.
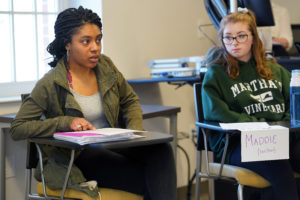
66	24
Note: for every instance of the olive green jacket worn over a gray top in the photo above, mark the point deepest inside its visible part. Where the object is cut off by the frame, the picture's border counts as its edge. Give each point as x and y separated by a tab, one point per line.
51	108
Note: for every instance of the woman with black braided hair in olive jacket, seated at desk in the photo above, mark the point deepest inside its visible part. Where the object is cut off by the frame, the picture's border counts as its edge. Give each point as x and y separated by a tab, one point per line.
85	91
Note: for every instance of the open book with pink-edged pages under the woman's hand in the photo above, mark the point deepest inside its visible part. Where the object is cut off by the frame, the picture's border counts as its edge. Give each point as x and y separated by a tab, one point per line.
98	135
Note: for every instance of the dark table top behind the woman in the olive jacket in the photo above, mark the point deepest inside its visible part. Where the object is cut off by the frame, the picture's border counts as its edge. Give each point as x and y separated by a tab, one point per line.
149	111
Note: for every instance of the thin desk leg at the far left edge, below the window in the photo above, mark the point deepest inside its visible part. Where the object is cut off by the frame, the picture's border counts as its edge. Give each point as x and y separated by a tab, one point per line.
2	160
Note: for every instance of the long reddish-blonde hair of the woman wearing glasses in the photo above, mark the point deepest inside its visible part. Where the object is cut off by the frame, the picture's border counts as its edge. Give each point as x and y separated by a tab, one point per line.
257	49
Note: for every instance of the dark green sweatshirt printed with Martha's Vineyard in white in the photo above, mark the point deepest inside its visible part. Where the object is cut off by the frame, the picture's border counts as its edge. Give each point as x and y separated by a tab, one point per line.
248	98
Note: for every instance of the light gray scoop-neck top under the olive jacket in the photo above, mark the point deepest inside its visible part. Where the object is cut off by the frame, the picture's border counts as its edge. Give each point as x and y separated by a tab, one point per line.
92	109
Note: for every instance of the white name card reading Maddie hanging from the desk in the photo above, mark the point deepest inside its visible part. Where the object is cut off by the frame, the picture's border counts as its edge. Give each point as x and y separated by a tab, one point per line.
265	144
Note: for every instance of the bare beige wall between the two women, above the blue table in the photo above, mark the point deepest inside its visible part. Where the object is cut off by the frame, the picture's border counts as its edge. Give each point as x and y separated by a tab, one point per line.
136	31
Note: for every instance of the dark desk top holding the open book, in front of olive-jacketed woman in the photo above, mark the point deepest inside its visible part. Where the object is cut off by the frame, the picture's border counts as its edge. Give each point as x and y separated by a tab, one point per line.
151	138
